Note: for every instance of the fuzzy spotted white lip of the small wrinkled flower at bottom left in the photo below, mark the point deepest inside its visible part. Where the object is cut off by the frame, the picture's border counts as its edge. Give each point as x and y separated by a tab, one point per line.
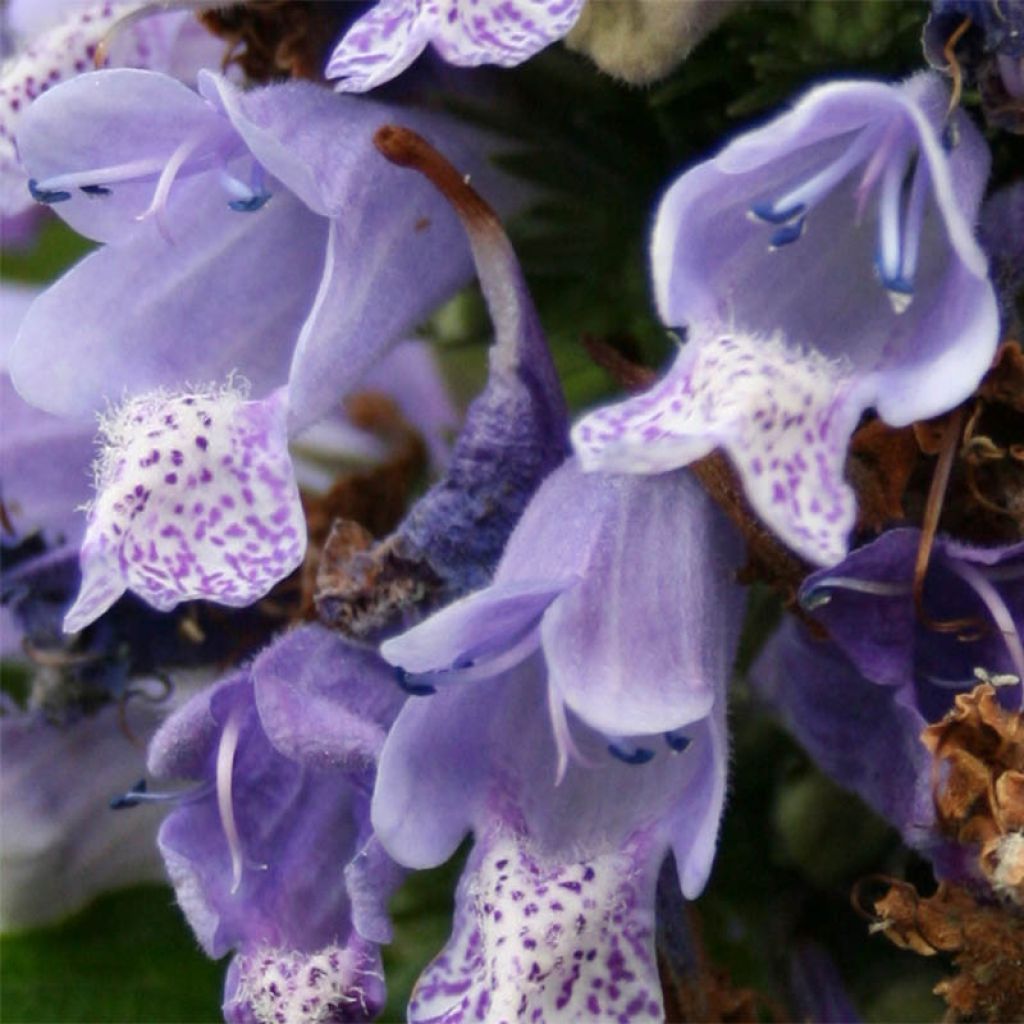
281	987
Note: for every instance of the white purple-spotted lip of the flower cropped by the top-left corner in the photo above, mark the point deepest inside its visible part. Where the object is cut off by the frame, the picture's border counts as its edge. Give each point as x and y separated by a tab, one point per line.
67	50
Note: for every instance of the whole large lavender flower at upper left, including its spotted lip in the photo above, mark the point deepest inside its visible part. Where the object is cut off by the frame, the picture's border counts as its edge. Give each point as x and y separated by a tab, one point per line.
197	496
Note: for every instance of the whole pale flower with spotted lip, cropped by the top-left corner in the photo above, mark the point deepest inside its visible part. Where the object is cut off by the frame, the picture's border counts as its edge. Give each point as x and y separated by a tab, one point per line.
54	42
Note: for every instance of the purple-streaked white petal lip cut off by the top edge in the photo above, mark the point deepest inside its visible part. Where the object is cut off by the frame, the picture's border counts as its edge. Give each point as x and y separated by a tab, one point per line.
388	39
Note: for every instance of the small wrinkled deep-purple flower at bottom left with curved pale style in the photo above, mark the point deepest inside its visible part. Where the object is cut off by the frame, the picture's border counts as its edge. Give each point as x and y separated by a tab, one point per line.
284	754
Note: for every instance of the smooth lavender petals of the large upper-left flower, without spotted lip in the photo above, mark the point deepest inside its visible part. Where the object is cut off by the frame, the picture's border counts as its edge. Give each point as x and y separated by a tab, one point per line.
297	255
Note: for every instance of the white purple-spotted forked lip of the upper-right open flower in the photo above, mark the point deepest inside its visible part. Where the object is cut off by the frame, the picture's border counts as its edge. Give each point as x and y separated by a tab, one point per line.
784	416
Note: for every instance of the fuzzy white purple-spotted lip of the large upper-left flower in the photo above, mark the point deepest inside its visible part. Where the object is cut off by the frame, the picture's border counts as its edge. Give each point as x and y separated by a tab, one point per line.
196	498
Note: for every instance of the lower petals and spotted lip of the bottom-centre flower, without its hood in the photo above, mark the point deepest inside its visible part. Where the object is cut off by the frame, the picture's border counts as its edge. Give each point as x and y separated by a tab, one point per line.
556	912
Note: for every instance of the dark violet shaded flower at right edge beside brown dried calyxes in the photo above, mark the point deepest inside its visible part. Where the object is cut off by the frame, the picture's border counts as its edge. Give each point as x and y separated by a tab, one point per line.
860	702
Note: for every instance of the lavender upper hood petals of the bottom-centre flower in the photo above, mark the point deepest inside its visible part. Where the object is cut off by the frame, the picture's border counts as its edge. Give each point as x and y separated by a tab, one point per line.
625	583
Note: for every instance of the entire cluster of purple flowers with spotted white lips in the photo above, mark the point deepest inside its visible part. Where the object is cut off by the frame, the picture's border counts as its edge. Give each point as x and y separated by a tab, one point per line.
546	663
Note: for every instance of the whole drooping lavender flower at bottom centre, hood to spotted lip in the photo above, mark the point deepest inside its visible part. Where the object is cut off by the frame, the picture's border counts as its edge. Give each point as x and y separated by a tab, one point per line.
601	608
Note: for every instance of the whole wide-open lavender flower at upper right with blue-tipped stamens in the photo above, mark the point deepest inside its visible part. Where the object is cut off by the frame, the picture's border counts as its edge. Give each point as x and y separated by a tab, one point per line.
821	265
